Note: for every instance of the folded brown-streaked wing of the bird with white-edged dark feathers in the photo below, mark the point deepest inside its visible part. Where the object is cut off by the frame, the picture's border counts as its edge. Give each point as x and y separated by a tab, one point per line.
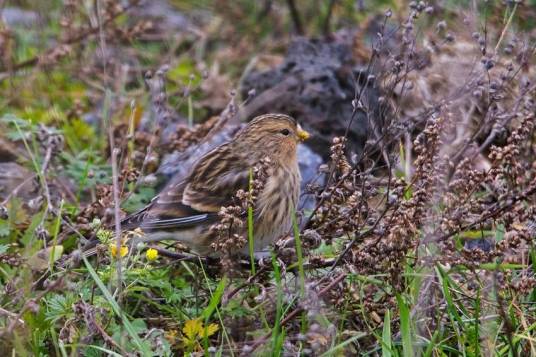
213	183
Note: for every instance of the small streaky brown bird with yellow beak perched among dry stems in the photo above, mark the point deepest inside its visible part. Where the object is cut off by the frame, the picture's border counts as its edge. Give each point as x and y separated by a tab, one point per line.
185	211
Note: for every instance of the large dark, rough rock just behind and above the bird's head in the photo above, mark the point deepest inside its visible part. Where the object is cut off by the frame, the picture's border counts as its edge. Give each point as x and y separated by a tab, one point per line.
316	84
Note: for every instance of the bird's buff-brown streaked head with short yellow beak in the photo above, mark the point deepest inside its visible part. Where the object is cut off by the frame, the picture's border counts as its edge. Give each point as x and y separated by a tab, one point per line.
274	135
